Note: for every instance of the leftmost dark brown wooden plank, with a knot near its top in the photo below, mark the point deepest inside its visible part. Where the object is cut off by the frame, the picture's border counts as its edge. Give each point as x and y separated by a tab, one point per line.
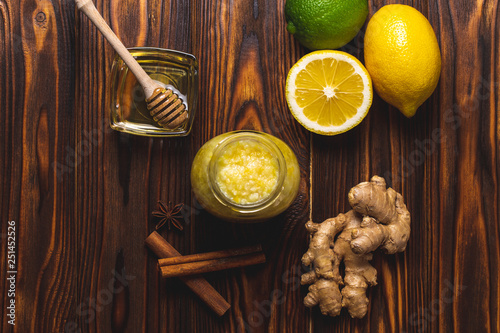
37	97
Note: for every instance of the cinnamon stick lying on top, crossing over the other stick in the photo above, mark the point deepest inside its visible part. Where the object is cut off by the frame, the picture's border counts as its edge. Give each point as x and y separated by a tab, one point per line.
212	265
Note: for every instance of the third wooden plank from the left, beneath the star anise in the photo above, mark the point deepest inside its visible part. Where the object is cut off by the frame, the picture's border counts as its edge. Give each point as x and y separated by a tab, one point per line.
173	306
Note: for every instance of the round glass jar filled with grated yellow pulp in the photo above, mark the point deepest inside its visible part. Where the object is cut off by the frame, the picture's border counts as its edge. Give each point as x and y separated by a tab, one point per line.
245	176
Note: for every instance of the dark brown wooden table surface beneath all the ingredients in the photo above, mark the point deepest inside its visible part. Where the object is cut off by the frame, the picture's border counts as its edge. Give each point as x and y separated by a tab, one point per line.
81	195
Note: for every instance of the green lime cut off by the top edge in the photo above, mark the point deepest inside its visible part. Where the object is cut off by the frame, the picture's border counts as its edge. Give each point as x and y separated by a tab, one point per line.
325	24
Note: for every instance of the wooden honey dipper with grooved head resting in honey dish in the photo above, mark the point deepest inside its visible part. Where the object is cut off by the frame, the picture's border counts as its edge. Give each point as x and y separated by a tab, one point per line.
166	107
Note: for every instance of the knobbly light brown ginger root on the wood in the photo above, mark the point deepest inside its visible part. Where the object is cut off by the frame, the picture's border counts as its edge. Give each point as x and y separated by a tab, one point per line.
379	219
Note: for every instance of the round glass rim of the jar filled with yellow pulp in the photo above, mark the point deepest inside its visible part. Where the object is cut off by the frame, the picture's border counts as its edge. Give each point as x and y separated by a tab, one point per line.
261	138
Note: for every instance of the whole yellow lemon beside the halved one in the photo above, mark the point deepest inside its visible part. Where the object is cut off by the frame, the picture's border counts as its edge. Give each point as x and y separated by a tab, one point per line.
402	56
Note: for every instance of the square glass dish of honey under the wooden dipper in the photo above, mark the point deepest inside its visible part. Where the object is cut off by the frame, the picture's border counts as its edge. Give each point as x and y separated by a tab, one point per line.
128	109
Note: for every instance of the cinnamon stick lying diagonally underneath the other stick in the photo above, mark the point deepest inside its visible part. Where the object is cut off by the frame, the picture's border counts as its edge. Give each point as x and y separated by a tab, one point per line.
197	284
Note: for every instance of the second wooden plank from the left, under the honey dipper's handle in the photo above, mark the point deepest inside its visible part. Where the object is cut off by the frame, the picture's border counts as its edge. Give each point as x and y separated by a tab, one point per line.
112	217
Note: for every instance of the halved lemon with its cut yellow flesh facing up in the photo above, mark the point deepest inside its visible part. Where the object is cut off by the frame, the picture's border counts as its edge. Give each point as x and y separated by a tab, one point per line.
329	92
